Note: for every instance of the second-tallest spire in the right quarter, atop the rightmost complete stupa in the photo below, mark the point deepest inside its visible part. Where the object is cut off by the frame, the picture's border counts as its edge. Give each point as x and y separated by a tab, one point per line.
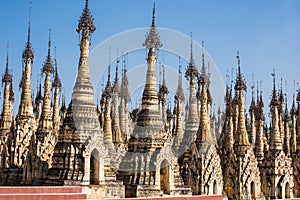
275	143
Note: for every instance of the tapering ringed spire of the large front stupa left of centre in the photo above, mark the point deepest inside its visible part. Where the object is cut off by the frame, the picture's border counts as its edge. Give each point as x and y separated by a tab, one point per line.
83	93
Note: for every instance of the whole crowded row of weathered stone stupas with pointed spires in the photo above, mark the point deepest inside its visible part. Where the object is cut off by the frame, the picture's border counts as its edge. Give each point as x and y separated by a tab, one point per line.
154	151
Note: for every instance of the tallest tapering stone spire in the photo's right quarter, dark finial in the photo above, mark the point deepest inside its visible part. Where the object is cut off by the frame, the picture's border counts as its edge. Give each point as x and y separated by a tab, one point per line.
242	136
